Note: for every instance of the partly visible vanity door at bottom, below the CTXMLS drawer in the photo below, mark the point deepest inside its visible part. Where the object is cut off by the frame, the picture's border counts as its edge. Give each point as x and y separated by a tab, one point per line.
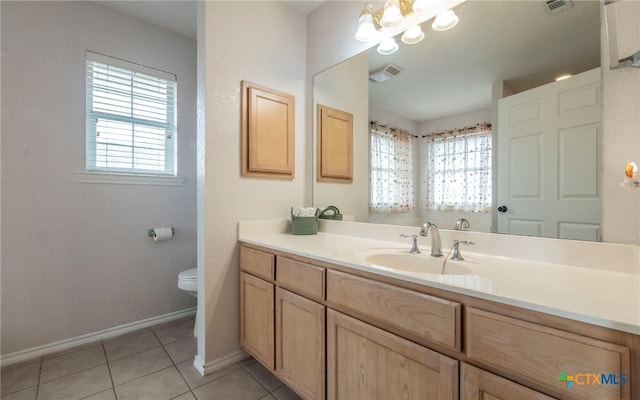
477	384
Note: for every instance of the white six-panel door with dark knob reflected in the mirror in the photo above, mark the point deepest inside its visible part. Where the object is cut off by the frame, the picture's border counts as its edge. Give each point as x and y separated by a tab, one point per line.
549	160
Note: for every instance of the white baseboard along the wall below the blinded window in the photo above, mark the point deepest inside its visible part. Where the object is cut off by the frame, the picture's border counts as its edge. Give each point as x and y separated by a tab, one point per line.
54	347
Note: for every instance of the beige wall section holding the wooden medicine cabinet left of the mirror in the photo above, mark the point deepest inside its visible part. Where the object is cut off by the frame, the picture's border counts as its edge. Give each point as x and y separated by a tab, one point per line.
263	42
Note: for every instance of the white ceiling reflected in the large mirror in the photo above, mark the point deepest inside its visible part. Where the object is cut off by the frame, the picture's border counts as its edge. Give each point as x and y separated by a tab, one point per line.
516	41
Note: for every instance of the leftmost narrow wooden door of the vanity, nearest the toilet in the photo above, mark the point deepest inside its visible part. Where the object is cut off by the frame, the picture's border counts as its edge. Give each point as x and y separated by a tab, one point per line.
257	319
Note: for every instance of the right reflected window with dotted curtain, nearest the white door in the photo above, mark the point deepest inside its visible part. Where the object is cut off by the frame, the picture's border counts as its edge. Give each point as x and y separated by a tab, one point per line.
459	170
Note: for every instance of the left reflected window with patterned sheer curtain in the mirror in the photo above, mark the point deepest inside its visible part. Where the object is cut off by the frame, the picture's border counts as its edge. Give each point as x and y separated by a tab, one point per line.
392	186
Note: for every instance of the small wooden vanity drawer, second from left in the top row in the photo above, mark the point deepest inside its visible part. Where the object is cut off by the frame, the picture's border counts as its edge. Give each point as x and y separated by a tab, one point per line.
303	278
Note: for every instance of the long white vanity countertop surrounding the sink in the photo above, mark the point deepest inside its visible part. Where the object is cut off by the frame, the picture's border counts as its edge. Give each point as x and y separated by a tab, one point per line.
607	298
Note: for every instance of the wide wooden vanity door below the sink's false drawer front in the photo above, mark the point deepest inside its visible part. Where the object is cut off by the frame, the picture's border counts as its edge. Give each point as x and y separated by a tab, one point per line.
365	362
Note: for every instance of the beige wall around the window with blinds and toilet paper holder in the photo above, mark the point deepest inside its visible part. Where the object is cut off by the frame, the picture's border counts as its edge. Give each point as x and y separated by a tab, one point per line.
76	257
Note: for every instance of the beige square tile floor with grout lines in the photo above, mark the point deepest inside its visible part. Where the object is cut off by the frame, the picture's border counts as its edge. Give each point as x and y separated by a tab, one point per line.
152	364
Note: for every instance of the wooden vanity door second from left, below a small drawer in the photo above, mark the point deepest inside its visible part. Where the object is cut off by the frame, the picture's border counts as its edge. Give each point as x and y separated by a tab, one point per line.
300	344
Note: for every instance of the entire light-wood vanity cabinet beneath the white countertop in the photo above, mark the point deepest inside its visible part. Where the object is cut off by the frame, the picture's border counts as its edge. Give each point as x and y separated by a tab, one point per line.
330	333
